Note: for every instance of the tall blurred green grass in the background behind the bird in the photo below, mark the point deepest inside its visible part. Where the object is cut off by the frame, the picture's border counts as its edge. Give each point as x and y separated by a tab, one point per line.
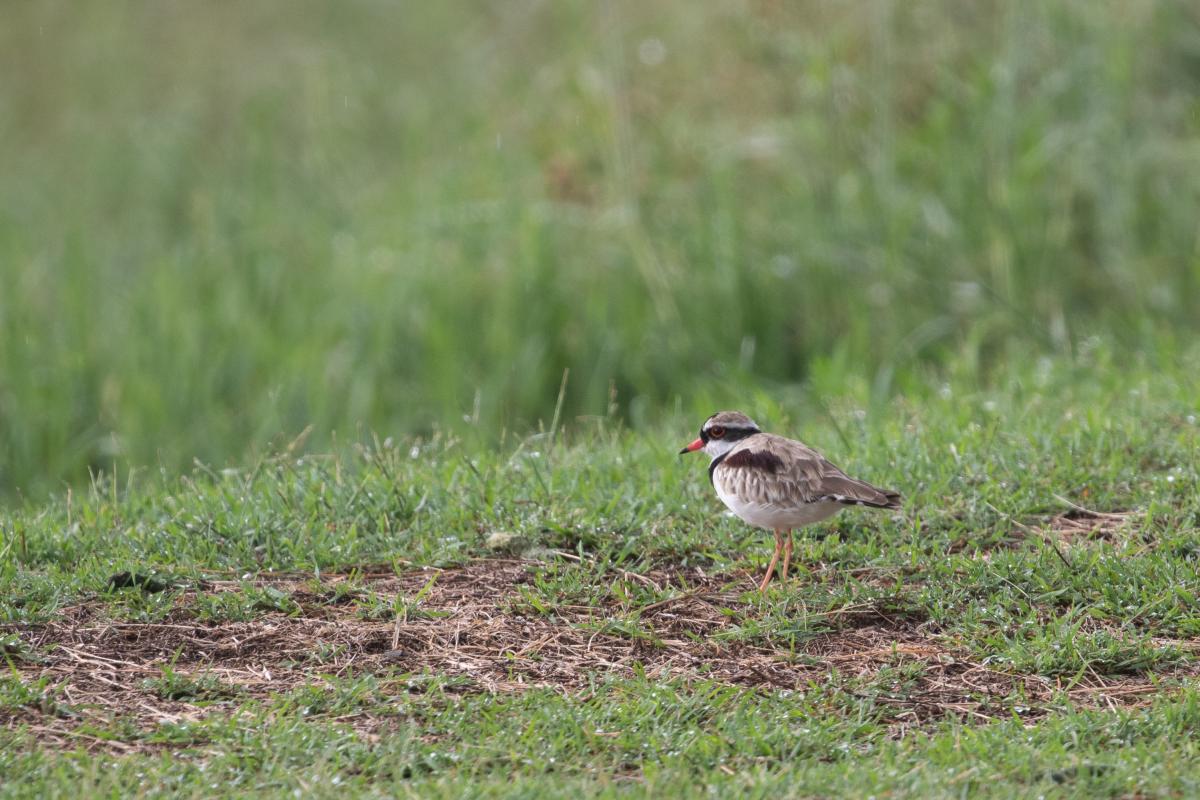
221	224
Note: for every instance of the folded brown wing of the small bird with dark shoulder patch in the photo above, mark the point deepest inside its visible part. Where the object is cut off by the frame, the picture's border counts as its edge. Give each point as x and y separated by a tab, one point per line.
773	471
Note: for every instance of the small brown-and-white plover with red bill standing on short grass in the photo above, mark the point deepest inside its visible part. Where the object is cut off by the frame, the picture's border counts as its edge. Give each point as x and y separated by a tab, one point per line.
778	484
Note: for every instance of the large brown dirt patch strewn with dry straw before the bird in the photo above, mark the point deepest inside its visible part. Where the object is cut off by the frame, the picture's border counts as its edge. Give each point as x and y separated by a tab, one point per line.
470	627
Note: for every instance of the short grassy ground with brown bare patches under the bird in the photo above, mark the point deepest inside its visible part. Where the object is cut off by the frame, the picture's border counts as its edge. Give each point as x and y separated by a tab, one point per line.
989	640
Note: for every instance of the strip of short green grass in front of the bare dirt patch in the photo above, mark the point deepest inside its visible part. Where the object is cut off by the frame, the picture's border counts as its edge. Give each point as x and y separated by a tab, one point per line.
641	741
